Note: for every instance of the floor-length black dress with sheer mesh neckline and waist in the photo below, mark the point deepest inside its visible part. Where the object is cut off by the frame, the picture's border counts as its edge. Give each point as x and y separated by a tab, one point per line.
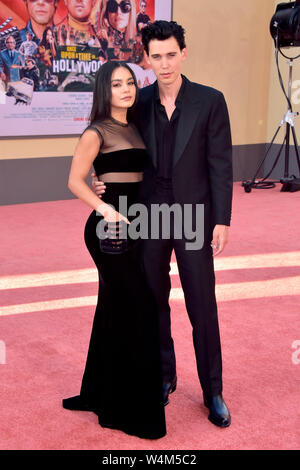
122	380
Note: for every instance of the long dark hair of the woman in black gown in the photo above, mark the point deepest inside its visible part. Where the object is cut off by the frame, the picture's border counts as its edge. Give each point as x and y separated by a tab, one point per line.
101	107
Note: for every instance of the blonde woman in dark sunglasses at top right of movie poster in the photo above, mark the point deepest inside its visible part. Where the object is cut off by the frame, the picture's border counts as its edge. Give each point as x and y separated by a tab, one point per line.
117	22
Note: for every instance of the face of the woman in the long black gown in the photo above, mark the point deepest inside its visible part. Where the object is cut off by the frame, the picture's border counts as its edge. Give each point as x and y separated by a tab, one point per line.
123	89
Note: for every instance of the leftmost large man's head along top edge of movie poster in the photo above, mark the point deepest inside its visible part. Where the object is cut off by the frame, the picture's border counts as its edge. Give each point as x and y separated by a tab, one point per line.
41	13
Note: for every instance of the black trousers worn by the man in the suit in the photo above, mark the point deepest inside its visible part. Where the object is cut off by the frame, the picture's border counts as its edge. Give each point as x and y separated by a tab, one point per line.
196	272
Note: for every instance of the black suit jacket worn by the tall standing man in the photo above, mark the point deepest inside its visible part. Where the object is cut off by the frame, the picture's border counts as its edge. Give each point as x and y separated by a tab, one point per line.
202	160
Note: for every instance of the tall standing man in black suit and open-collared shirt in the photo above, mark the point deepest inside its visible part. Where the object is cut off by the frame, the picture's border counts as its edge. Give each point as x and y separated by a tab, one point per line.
186	129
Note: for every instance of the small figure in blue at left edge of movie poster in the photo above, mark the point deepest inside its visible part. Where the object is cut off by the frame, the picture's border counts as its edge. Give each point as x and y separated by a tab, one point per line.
10	61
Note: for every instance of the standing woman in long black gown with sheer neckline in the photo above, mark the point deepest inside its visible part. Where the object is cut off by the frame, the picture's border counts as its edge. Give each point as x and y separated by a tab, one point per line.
122	379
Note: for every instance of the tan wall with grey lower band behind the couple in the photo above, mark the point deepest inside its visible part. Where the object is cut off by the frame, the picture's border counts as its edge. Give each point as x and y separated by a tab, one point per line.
229	48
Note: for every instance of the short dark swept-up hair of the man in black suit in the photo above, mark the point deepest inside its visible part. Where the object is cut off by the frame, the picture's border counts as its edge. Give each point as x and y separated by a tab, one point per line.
162	30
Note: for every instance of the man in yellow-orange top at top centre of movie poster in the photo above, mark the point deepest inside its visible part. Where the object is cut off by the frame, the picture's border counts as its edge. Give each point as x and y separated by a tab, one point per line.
78	21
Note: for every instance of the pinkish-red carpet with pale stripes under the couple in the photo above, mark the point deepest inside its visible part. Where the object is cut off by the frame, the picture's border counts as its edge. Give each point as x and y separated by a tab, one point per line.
48	288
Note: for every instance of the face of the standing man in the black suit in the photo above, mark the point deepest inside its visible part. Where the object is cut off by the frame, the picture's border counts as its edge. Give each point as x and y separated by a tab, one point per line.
166	58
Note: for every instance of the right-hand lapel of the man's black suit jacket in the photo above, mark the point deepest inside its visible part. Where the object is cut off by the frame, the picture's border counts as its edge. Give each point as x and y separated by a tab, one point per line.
187	120
